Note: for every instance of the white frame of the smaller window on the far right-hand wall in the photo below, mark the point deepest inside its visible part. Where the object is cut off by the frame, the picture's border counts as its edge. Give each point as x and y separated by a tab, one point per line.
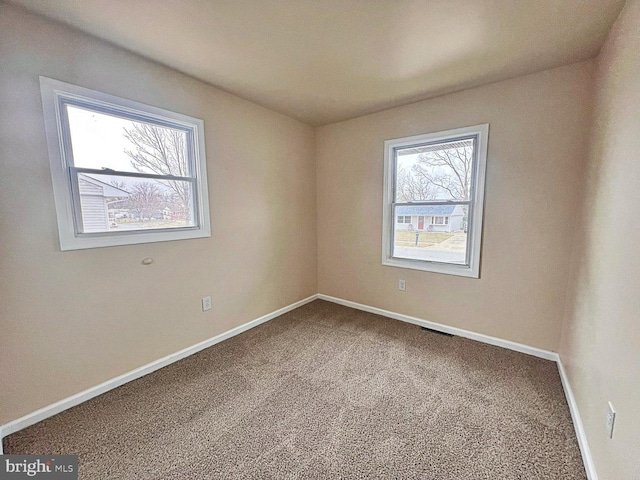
471	268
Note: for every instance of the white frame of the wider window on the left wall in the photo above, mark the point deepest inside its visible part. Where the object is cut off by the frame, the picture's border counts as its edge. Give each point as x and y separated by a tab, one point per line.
55	94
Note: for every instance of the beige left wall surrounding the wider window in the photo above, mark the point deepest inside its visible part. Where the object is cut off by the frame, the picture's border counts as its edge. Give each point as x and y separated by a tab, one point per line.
70	320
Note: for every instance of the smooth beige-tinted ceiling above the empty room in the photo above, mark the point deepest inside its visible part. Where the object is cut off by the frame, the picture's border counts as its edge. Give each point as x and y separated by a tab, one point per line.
327	60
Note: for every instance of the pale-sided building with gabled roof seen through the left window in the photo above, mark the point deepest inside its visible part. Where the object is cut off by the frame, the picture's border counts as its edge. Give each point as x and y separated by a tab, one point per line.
95	198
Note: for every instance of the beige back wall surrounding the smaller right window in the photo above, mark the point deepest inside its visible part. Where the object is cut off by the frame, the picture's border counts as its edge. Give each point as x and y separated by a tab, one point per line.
537	150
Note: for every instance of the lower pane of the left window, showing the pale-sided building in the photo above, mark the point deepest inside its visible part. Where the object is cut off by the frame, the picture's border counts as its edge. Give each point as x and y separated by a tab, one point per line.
112	203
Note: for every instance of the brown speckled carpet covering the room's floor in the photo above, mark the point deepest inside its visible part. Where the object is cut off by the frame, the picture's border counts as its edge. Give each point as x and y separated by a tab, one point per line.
326	392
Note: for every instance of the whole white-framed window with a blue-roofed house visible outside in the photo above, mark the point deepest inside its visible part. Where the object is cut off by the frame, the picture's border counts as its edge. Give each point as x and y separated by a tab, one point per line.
439	176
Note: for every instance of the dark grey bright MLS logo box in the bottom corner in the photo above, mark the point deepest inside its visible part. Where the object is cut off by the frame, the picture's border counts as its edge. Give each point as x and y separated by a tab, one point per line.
51	467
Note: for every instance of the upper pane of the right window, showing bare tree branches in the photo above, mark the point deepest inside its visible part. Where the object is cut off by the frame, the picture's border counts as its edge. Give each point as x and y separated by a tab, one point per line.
436	172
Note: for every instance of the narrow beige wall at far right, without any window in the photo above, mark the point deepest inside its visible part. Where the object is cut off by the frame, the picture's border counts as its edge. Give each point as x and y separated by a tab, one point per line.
601	340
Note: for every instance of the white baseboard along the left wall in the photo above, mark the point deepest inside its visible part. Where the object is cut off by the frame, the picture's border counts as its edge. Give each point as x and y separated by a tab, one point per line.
73	400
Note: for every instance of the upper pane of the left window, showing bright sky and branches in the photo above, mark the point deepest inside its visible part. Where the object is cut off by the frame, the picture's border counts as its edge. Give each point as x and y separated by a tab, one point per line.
100	140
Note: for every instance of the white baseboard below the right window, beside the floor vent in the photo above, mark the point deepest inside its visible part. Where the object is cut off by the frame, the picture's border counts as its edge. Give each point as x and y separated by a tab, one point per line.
499	342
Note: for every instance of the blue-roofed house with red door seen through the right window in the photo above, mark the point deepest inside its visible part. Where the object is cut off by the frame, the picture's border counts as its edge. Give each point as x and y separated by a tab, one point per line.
431	218
